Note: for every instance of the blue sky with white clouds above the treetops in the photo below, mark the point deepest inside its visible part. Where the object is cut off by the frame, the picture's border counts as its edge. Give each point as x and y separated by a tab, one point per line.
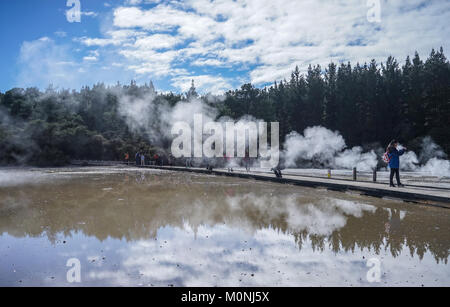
221	44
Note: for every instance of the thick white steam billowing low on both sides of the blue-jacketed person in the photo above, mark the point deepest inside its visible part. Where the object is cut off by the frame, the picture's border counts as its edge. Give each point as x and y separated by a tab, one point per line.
321	147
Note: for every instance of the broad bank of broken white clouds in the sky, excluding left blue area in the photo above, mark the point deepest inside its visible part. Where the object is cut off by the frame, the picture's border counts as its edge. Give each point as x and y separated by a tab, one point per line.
261	40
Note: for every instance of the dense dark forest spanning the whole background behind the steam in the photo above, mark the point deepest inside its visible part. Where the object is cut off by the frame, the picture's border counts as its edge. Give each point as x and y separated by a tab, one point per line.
368	104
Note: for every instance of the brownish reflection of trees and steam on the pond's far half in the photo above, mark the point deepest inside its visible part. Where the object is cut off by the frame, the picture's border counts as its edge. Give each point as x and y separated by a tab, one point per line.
134	205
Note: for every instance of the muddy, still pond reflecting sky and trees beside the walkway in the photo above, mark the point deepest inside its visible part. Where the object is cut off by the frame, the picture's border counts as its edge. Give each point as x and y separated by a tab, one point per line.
152	228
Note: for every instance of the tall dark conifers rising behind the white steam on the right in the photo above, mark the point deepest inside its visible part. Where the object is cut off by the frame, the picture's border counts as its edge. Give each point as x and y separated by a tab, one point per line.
368	103
